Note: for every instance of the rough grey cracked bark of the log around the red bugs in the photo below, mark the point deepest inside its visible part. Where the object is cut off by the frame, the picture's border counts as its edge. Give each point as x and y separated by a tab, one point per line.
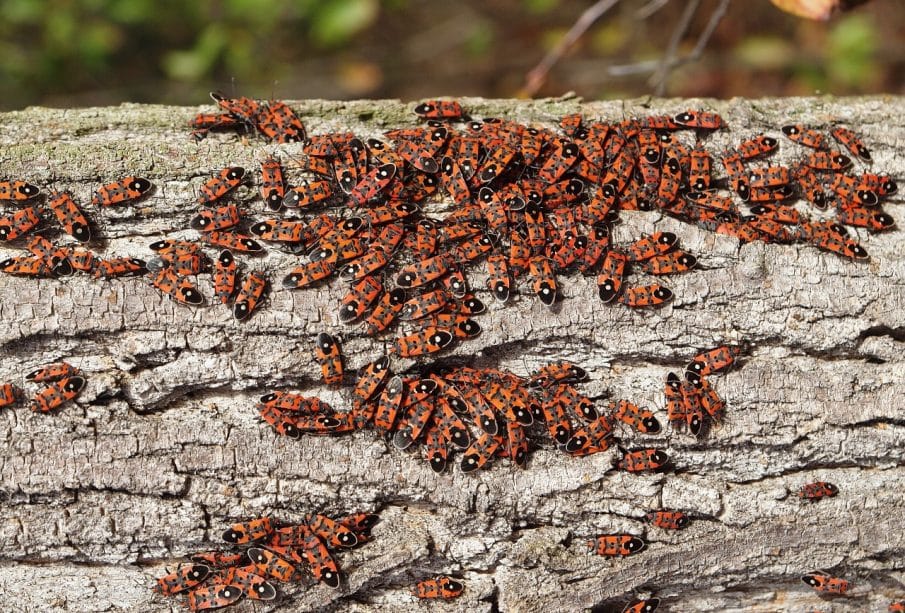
163	450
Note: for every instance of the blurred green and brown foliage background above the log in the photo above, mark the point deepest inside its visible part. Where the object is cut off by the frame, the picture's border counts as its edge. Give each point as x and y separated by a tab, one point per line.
86	52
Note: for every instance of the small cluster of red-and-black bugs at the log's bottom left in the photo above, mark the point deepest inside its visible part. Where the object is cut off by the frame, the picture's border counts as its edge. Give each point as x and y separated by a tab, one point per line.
265	551
